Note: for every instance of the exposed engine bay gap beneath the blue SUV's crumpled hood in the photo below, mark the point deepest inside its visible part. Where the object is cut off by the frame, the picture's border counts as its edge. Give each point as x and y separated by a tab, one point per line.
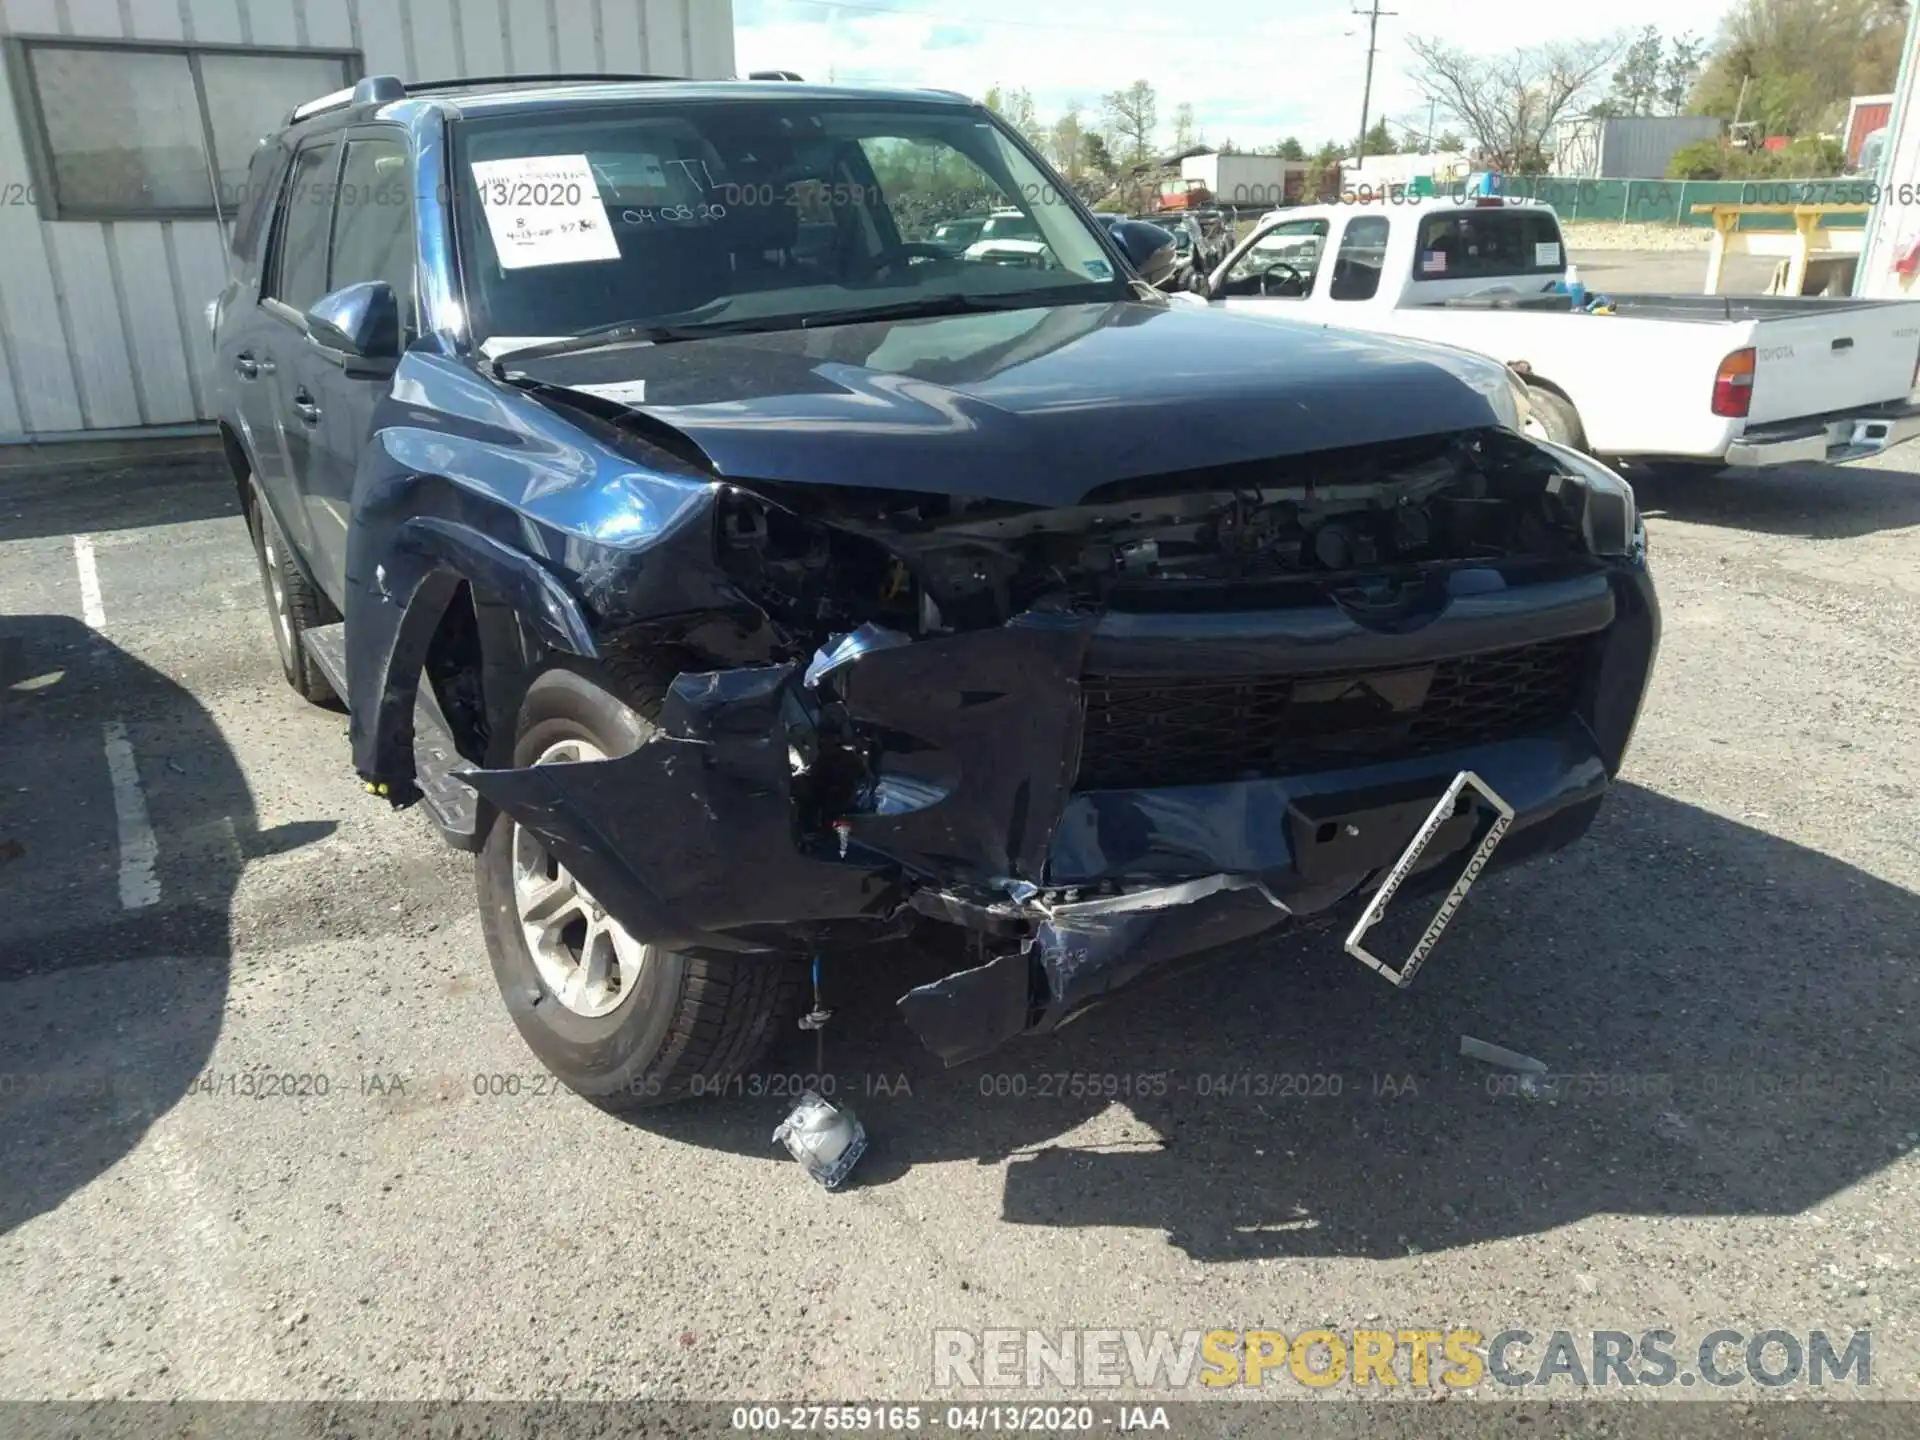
819	560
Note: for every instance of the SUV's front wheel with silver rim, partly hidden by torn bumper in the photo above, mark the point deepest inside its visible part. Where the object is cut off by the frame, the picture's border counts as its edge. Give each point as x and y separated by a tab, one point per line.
675	1024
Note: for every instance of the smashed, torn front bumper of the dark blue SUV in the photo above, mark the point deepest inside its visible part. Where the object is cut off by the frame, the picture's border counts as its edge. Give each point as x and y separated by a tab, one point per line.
984	782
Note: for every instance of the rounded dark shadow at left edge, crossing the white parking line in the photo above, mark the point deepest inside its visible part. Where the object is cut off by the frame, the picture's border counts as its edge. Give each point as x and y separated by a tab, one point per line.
107	1015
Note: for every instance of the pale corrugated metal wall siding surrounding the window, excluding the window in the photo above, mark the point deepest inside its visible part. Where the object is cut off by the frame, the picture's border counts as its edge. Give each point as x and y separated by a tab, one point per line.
101	324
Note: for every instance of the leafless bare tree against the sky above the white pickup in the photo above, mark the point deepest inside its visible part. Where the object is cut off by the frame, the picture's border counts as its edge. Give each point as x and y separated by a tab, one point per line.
1510	103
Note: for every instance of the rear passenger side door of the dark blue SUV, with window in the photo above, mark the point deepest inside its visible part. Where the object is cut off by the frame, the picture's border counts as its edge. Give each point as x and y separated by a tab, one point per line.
297	277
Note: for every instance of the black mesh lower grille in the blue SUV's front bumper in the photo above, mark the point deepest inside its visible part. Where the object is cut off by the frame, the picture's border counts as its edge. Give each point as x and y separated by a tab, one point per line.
1153	732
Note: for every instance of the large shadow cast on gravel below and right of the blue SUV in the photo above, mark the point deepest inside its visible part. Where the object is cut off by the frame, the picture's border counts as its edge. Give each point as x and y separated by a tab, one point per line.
1731	1019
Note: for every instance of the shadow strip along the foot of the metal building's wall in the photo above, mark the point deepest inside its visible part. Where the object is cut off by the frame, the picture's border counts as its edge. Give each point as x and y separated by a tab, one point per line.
76	498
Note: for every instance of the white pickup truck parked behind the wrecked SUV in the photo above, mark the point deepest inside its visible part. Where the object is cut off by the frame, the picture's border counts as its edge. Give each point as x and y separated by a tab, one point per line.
1656	379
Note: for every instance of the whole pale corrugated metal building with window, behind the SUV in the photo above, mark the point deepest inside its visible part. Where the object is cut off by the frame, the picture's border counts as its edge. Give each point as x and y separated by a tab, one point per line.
120	116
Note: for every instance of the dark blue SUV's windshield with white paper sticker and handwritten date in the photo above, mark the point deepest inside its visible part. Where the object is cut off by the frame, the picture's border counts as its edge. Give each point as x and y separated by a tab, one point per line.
750	212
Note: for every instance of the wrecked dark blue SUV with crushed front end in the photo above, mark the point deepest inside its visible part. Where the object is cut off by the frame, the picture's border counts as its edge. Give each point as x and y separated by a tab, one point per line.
748	577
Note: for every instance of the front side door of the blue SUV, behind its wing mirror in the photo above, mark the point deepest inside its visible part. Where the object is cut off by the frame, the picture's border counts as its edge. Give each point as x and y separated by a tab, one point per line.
373	239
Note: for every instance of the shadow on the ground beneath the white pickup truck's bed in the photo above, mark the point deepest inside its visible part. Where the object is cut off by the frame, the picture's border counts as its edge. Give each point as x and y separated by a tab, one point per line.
1813	502
